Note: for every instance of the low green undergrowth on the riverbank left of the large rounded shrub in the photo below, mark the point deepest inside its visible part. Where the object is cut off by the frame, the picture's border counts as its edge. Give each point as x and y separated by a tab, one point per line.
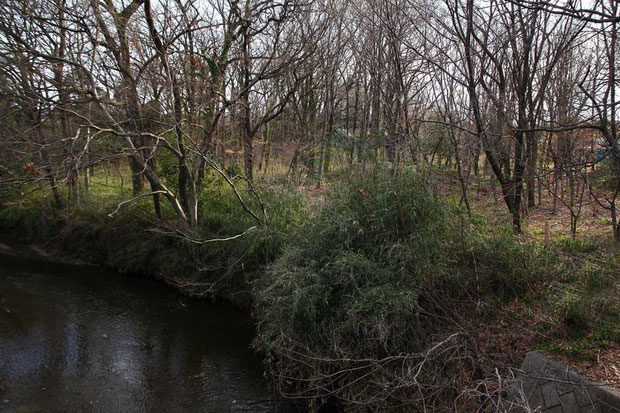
130	239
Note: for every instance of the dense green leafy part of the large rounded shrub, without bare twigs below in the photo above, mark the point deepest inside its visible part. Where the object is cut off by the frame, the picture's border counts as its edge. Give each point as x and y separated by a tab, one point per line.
358	264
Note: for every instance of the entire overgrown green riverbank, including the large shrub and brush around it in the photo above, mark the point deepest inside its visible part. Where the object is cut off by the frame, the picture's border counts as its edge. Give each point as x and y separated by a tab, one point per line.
384	294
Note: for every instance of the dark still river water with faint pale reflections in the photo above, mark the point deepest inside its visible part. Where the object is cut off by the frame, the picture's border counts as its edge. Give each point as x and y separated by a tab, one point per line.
85	339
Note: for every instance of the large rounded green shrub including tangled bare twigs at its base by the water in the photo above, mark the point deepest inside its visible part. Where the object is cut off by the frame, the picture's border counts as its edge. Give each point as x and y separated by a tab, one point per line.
354	305
